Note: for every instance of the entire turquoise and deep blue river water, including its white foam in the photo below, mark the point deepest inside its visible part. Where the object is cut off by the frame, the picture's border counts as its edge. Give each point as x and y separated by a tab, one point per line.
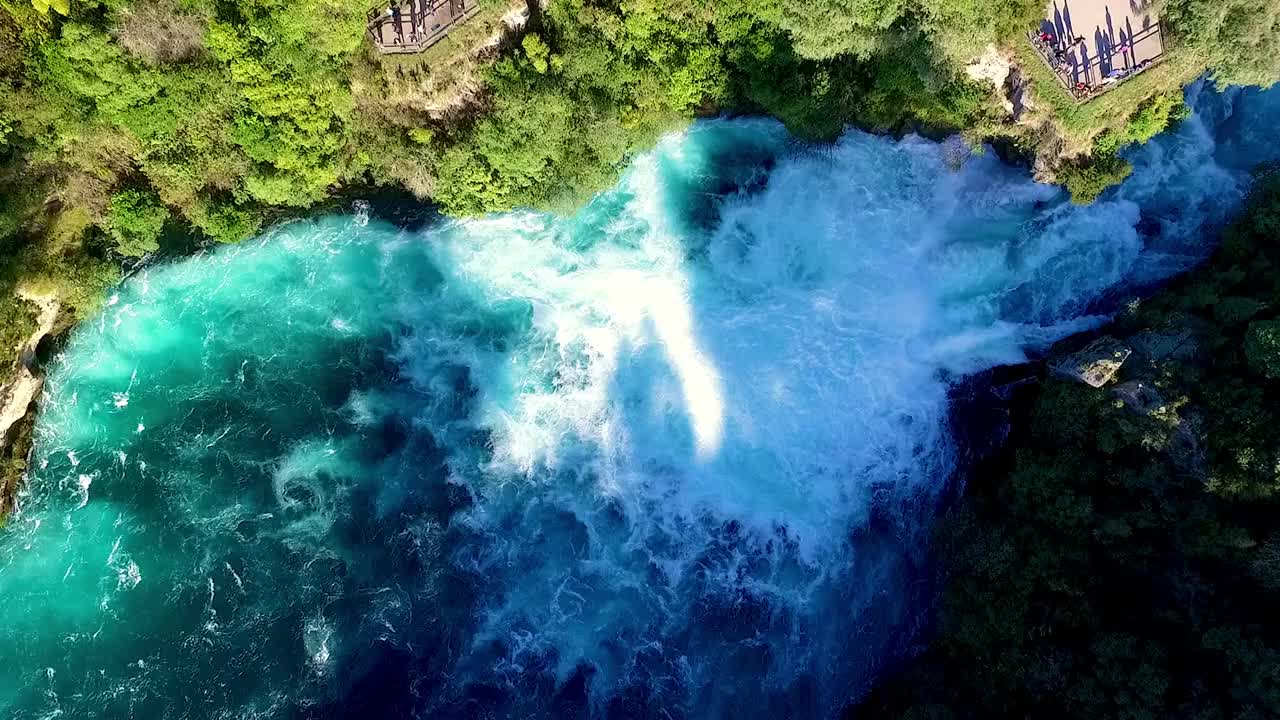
671	457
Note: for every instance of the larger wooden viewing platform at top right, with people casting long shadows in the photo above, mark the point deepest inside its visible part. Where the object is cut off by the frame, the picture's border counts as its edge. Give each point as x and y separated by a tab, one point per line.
1096	51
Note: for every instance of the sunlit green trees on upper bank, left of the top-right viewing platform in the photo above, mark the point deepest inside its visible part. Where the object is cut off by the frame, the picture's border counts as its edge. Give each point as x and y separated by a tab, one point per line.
223	110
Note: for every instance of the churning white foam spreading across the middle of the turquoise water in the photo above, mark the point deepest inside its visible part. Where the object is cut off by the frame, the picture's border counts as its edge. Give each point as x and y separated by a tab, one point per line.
781	376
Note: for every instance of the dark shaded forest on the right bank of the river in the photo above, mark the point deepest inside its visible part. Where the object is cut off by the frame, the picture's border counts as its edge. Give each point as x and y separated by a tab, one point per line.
1128	563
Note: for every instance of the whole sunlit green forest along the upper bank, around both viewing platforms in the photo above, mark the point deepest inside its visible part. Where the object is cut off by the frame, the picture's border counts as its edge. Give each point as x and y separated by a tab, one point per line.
125	122
